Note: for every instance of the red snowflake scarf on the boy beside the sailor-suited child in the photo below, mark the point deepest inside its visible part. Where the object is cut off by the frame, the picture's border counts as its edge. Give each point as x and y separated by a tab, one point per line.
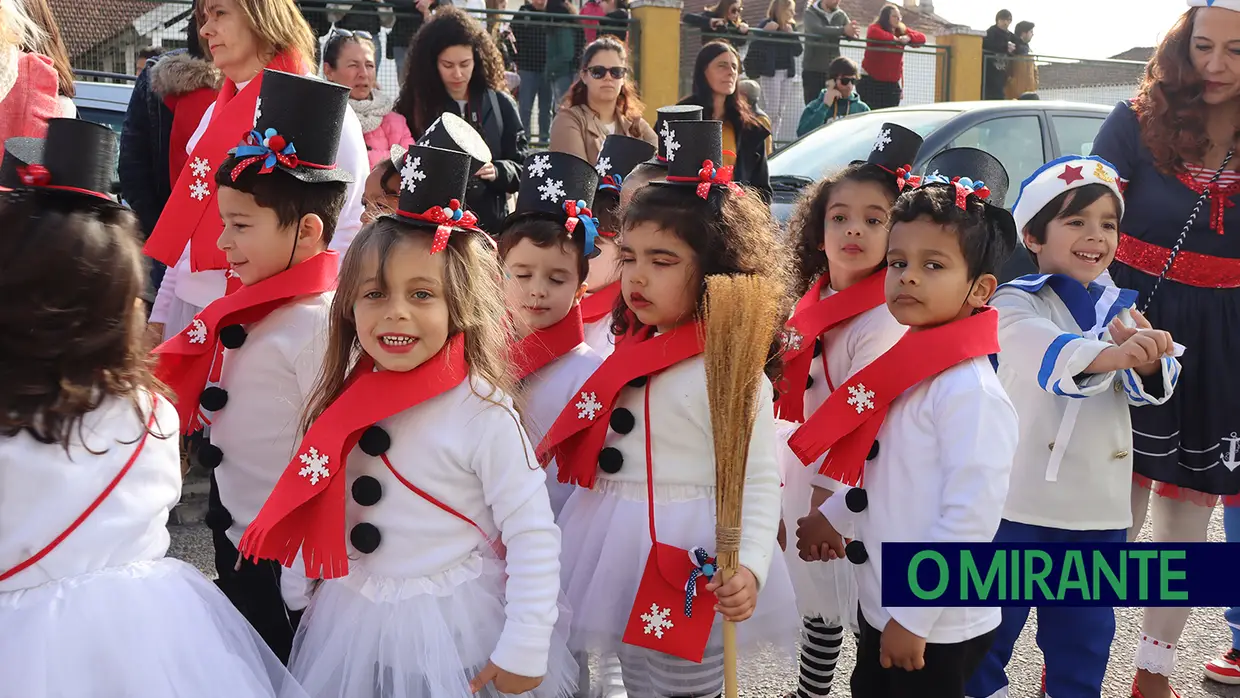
850	421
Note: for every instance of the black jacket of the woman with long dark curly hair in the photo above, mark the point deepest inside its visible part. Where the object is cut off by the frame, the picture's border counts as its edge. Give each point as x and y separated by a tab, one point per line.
507	138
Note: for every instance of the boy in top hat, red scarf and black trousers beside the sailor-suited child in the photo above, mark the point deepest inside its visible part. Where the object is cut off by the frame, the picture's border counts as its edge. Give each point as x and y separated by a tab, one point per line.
929	427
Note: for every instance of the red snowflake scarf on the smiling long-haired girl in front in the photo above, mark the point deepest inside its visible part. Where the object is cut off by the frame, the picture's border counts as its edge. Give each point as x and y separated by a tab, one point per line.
307	510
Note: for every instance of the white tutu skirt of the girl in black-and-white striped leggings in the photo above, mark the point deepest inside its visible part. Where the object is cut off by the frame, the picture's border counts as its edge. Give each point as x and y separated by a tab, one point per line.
824	590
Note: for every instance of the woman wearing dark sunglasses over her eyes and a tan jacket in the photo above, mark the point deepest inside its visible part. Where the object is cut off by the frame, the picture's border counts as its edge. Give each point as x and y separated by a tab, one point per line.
602	102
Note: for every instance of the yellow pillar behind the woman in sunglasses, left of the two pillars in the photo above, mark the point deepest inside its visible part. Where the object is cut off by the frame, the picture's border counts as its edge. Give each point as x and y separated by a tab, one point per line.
659	53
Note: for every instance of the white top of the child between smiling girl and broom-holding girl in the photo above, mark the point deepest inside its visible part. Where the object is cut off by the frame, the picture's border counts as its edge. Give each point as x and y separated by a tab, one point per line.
545	395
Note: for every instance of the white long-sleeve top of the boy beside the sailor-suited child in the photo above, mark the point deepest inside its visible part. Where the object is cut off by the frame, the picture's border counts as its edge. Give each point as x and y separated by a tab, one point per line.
941	477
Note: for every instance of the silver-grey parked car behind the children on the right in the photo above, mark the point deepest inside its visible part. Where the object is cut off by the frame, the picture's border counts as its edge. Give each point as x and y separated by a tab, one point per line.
1022	135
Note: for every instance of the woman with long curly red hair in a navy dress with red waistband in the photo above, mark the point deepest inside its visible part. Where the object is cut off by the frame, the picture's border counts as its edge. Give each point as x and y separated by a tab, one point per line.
1171	144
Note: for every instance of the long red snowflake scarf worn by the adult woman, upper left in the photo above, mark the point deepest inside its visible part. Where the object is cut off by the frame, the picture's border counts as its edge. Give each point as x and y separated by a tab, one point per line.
192	215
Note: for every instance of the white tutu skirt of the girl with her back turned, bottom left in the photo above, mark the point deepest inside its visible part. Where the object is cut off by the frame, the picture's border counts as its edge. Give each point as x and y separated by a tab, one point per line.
144	630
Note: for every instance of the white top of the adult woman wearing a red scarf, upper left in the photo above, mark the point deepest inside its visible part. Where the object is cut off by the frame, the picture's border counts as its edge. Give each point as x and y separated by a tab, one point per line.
201	288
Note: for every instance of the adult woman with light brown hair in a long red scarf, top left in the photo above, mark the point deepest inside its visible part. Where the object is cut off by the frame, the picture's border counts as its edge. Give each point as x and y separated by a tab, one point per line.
245	38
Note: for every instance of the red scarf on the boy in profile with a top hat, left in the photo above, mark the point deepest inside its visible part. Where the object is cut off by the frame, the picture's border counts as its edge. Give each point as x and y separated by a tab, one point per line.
192	359
